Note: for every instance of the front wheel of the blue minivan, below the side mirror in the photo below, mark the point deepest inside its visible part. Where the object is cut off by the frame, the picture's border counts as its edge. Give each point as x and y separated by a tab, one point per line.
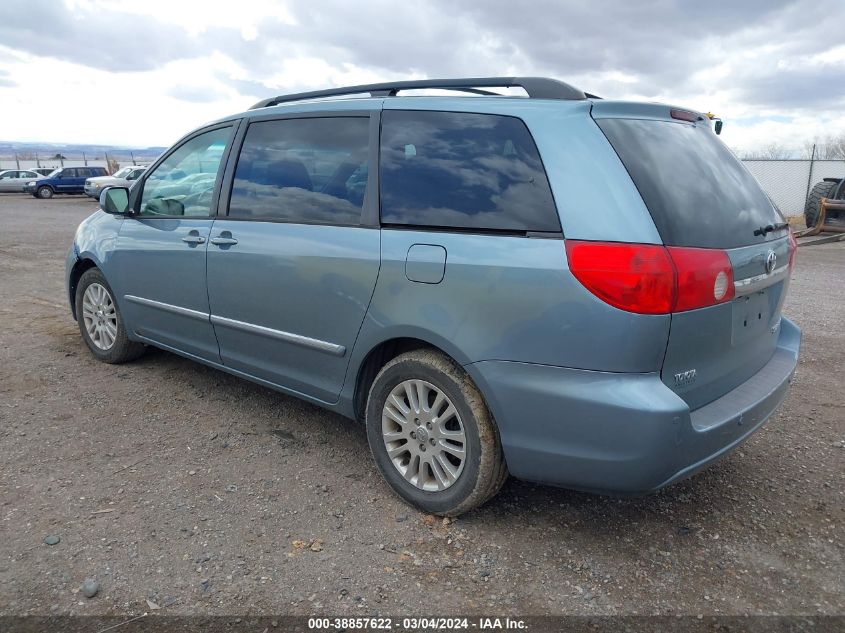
100	322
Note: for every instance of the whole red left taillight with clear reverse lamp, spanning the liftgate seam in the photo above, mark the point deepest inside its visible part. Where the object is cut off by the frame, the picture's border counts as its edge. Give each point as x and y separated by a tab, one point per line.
651	279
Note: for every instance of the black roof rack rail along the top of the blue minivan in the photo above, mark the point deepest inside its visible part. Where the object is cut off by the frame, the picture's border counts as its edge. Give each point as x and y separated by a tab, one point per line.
536	87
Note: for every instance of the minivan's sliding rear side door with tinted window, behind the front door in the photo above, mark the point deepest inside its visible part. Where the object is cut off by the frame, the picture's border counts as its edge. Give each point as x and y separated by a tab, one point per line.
291	268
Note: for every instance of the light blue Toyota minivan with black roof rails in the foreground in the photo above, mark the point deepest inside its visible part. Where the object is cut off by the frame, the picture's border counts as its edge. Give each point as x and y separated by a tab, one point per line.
570	290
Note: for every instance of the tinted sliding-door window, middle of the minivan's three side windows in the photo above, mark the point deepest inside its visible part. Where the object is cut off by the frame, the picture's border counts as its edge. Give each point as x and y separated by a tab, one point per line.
310	170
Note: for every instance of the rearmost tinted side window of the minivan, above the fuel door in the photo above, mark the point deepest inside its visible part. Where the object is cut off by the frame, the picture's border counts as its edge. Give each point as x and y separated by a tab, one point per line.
472	171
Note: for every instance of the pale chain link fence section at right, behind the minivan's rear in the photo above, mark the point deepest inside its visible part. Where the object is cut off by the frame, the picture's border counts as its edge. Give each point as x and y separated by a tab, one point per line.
788	181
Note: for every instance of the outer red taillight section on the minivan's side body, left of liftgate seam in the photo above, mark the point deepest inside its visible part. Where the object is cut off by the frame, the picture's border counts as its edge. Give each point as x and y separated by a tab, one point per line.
633	277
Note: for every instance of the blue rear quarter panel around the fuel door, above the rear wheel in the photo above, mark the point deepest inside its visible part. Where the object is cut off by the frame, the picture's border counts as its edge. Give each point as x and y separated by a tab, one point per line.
506	298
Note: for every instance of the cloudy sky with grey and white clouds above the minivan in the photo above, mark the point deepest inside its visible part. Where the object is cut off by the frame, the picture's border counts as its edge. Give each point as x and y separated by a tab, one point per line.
142	73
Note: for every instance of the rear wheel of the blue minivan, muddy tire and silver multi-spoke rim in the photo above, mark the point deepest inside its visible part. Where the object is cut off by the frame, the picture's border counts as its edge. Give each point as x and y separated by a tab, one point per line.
432	436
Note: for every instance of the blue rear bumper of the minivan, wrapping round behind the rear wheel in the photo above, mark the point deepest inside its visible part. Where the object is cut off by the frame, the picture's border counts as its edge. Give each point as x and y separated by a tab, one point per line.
623	433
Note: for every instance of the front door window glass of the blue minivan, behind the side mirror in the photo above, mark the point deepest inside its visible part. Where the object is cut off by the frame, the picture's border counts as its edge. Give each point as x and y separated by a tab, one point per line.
184	183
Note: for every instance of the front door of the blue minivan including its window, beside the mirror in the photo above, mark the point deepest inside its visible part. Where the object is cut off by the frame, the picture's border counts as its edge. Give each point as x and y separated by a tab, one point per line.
159	268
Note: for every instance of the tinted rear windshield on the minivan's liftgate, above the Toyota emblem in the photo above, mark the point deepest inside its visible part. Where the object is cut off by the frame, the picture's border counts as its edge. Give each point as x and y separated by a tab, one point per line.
697	191
